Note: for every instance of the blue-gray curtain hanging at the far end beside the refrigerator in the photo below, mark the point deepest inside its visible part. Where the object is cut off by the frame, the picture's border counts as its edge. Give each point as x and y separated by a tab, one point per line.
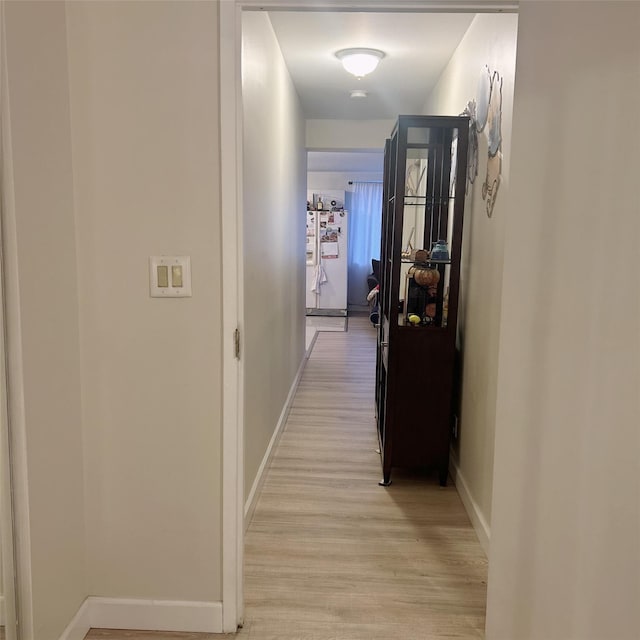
365	223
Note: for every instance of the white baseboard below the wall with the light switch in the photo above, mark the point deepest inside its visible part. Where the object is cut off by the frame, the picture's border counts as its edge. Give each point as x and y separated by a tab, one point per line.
146	615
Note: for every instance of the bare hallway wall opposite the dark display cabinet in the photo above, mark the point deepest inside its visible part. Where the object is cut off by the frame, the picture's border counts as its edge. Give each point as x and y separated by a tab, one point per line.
274	236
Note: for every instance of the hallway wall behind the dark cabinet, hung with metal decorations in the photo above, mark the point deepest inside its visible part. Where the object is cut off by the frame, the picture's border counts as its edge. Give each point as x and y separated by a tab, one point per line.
491	41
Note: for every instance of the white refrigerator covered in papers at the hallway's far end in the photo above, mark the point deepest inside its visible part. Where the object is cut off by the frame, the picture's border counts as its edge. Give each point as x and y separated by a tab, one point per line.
327	258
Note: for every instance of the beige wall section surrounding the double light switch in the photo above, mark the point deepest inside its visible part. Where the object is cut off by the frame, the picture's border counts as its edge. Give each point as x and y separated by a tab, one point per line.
144	114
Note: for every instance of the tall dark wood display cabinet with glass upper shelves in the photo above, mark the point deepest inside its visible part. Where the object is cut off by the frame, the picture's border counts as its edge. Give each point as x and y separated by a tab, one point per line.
423	209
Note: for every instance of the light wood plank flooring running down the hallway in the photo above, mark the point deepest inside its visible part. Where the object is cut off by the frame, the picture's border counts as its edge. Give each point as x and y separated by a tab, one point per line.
329	554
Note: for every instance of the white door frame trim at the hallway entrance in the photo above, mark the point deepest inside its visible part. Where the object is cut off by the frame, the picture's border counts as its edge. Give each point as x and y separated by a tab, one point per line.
231	185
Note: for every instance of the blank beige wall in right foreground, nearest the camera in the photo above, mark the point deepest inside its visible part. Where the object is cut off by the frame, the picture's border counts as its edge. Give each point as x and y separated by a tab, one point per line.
565	547
